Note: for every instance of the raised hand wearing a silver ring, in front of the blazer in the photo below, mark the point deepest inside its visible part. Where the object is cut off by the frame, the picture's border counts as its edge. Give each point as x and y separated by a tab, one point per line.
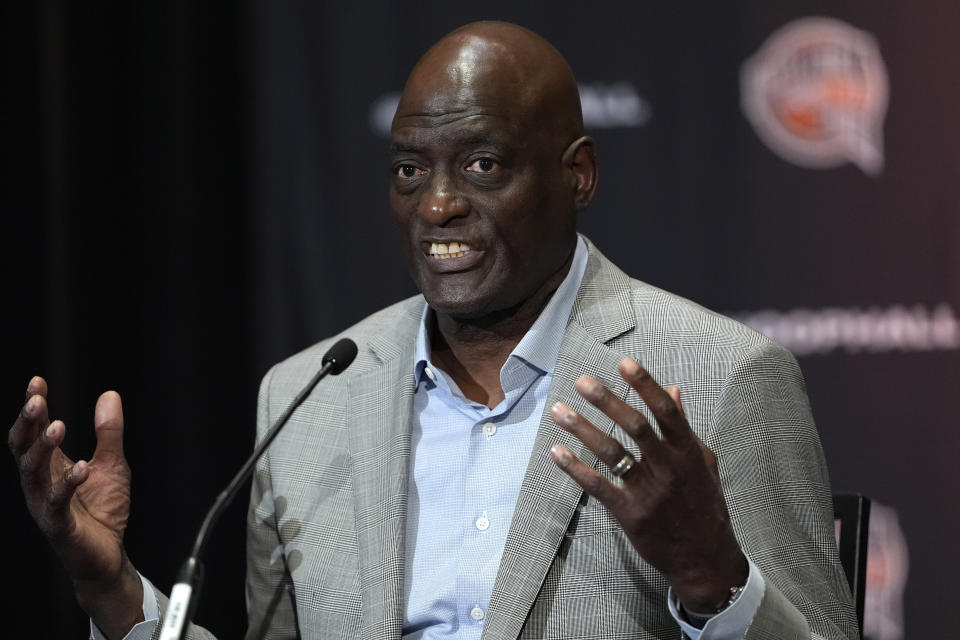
669	502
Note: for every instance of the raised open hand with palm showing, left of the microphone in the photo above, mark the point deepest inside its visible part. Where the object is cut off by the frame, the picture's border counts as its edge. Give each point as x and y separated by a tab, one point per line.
82	508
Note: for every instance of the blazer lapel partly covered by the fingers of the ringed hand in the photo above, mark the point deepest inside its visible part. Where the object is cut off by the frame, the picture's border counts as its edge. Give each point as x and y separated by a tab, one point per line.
548	496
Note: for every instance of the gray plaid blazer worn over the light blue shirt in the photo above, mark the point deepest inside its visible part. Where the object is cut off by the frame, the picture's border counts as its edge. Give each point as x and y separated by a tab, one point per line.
326	519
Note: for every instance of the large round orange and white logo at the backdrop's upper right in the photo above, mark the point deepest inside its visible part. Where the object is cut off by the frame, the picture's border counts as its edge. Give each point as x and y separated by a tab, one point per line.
816	93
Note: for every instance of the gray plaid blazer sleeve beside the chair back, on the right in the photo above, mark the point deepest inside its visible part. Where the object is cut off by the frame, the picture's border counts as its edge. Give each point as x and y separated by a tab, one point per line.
774	477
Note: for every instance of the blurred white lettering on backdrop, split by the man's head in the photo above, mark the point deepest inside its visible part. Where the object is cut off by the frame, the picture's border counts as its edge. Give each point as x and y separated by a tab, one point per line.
605	106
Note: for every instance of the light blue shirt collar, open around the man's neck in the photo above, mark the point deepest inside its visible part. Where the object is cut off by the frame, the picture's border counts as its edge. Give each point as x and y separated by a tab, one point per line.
540	346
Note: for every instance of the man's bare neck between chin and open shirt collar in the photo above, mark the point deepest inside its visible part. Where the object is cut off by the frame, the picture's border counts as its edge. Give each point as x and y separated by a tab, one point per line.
472	351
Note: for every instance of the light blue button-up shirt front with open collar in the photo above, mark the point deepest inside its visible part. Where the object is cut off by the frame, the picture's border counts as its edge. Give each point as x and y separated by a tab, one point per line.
467	463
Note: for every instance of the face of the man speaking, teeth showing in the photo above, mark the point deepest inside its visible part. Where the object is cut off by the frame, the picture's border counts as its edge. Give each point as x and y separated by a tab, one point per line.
477	192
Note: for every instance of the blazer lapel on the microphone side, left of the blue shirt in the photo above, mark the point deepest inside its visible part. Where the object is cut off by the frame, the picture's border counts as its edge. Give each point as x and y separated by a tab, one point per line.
380	404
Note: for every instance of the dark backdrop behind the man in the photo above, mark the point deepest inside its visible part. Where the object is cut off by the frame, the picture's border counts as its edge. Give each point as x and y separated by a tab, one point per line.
197	191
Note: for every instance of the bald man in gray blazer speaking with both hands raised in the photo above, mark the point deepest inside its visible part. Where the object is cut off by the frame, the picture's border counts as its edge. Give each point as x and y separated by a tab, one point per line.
497	461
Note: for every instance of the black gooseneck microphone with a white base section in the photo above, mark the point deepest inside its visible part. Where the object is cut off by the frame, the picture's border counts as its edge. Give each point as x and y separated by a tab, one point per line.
183	597
